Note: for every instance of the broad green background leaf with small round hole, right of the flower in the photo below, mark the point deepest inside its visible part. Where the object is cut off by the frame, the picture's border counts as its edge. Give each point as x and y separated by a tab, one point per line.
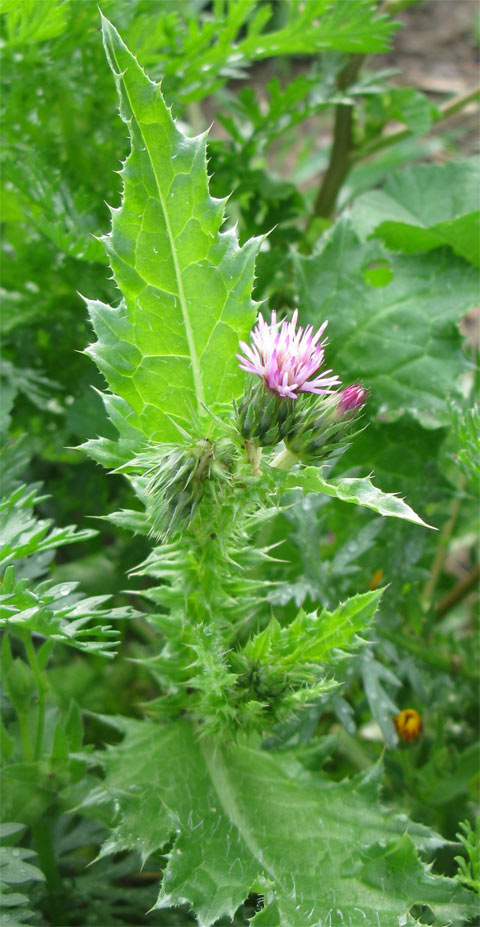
400	339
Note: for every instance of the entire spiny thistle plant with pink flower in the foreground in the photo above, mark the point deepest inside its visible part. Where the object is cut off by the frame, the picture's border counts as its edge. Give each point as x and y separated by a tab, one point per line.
216	436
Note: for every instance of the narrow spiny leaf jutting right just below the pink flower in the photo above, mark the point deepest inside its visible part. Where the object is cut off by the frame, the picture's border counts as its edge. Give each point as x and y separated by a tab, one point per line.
360	491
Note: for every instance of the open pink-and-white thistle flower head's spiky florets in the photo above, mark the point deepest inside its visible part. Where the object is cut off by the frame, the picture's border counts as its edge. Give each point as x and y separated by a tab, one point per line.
285	358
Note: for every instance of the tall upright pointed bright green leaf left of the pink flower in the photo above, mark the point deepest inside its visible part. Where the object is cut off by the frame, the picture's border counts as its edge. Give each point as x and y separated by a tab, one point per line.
169	347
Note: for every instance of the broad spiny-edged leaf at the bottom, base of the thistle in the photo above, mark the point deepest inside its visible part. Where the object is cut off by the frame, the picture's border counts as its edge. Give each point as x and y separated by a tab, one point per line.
247	820
